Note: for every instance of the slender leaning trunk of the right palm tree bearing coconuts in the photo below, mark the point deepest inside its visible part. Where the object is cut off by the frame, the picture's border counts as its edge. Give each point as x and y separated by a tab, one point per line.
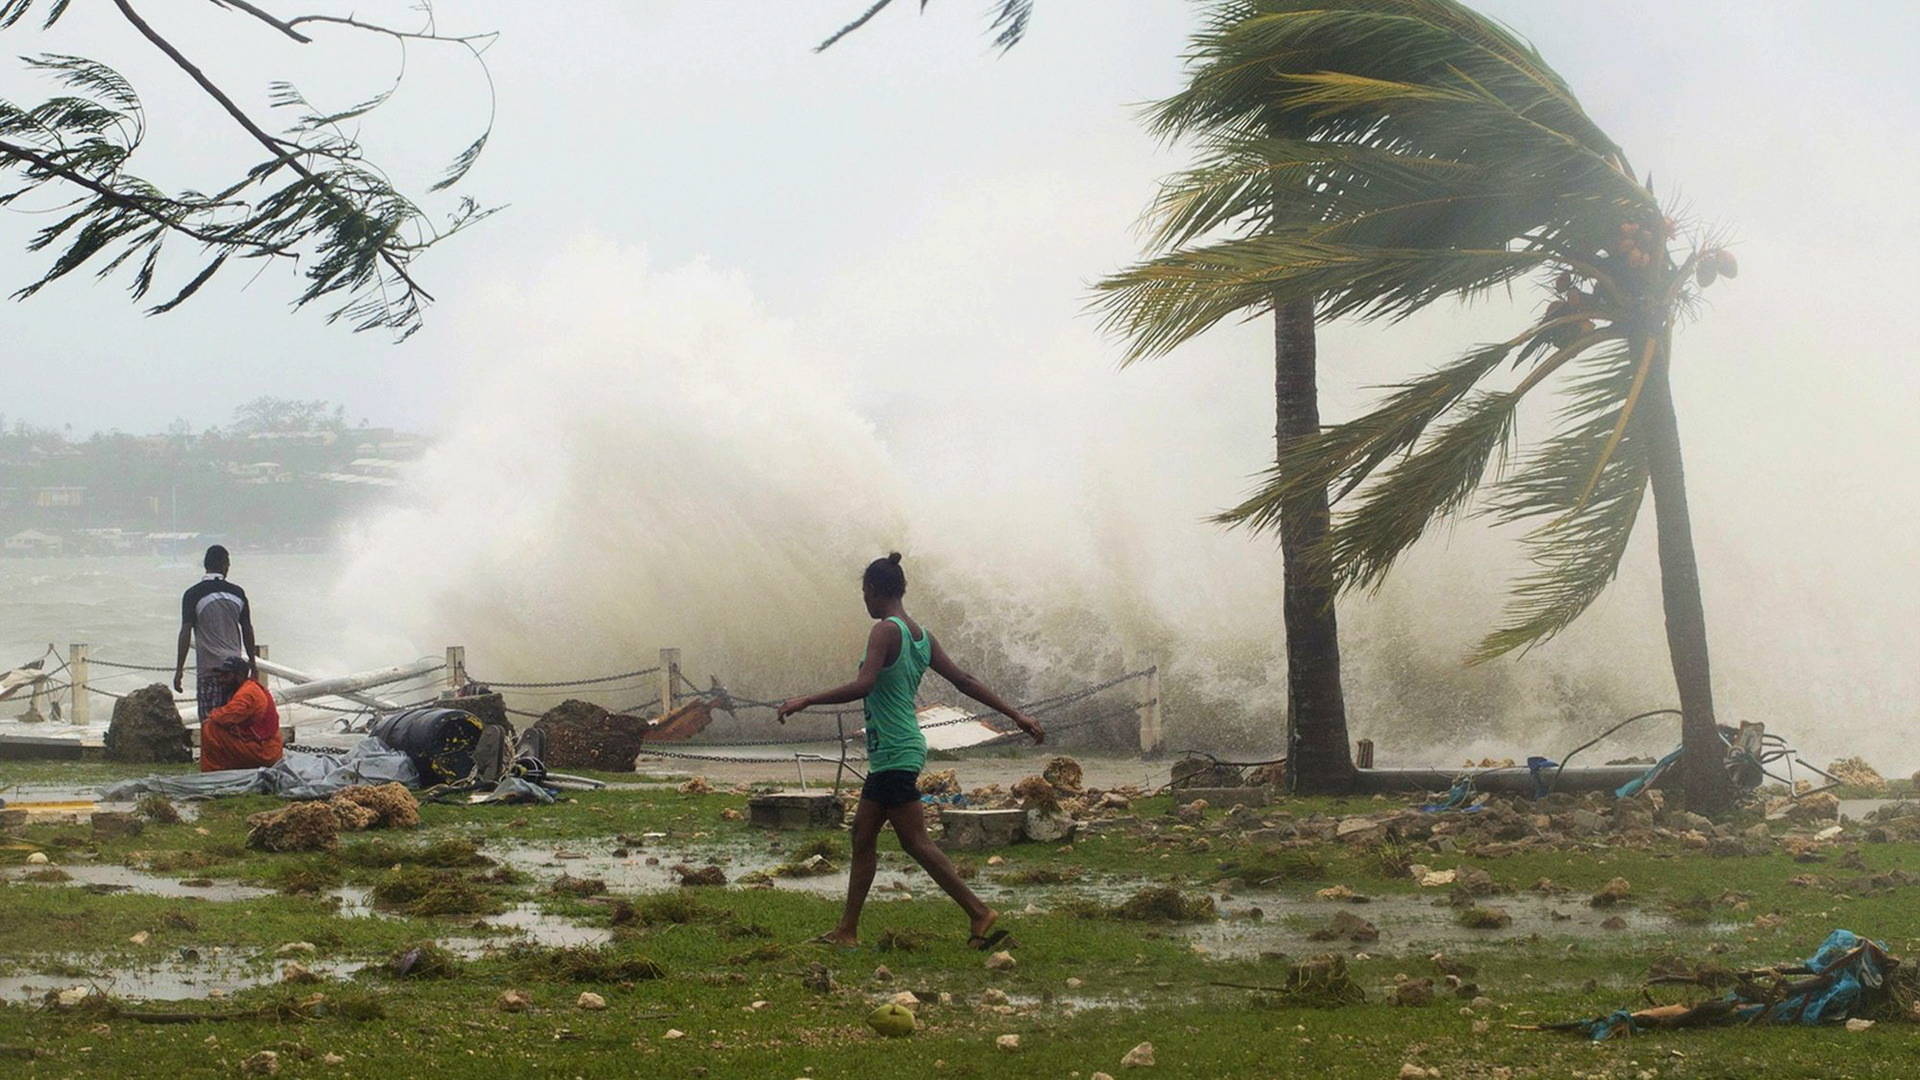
1704	766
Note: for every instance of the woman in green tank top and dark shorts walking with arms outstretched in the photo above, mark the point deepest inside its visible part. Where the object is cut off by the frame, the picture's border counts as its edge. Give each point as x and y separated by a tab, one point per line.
898	654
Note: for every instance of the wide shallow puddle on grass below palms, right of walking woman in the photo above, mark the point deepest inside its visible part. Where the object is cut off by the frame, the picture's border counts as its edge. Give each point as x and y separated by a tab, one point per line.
1412	923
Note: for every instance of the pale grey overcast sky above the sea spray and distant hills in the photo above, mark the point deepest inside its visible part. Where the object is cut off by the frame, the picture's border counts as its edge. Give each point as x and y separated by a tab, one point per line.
709	130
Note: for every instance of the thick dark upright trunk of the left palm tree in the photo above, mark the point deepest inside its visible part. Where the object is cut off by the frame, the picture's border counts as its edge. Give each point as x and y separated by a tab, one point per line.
1320	760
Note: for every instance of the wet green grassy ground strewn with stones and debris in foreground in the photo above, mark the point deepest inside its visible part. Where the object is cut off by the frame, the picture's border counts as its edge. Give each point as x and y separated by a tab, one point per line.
732	964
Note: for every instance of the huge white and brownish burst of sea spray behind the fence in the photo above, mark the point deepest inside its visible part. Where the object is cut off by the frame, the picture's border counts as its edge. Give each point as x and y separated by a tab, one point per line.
644	458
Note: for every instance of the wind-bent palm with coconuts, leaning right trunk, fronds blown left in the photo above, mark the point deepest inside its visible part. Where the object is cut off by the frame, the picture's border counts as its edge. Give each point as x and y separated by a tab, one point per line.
1429	153
